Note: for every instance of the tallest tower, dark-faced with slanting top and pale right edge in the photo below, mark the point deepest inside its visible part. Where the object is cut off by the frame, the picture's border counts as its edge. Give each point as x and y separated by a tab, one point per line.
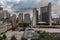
45	15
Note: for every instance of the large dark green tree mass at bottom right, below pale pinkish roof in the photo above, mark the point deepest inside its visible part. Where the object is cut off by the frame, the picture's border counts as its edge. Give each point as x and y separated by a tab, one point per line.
46	36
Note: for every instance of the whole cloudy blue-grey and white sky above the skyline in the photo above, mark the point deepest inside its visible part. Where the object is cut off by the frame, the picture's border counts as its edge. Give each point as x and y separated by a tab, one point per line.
27	5
